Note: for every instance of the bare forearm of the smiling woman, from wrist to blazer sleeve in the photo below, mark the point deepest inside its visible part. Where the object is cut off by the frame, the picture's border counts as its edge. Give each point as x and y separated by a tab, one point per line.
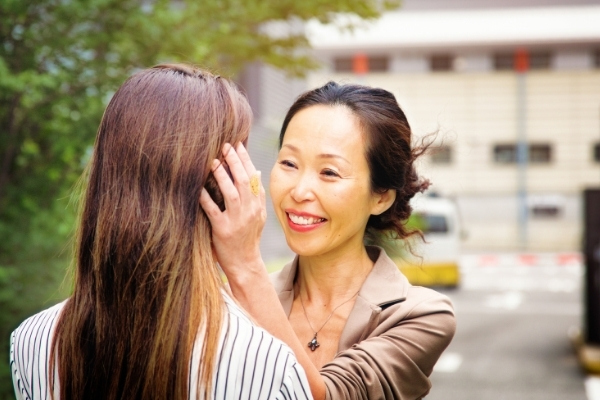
254	291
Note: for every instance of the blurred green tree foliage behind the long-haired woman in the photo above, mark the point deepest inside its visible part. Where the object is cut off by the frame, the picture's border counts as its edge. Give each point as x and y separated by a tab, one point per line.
60	61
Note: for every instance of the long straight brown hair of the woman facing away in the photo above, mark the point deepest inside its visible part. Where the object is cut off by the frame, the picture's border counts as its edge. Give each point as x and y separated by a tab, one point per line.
146	282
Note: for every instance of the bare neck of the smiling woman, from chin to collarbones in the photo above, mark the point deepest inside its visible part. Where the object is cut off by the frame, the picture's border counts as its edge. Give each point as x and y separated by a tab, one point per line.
331	279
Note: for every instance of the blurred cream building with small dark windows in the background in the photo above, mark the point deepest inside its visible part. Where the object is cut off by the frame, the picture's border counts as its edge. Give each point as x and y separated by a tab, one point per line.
514	93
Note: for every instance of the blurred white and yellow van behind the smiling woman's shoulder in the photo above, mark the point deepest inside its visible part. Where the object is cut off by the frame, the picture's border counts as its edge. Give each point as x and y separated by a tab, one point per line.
436	262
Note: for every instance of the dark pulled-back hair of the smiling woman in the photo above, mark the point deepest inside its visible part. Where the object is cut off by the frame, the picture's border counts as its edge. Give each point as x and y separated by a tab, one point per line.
388	148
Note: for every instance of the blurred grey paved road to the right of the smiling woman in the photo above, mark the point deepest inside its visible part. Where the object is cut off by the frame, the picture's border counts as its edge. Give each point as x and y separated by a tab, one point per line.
514	313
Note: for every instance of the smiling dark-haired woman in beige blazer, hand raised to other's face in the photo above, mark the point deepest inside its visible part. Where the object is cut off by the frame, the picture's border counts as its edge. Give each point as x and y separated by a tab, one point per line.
344	175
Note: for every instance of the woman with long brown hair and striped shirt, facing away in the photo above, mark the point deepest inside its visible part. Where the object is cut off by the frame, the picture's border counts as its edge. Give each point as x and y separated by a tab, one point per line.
148	317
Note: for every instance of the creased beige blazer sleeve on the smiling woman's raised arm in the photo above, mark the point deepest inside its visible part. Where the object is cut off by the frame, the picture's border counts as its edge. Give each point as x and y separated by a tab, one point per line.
396	359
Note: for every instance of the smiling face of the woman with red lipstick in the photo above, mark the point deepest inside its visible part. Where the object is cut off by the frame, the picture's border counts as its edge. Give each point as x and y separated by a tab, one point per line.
320	184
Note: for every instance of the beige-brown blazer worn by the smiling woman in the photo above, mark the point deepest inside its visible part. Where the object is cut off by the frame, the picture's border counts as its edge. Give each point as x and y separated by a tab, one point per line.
394	335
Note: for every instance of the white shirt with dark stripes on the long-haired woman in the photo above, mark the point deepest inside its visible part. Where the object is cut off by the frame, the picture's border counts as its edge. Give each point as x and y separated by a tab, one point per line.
252	364
